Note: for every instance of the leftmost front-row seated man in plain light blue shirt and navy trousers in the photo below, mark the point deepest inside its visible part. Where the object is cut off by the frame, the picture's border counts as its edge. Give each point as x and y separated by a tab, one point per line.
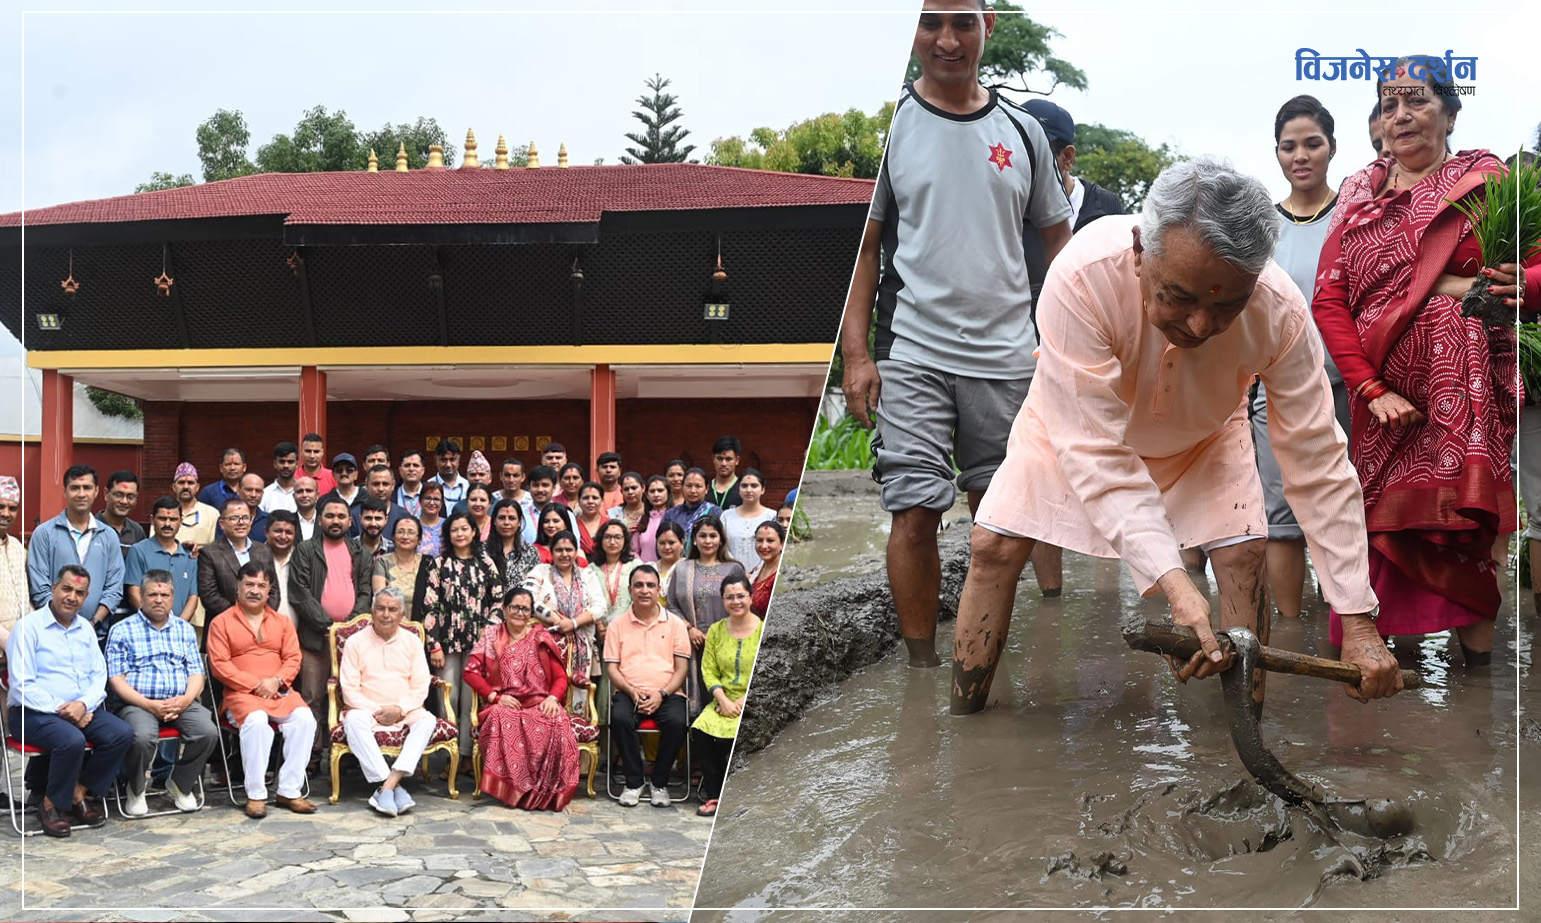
58	688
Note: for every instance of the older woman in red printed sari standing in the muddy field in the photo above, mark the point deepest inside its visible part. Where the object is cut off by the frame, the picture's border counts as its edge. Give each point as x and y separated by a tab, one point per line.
1435	408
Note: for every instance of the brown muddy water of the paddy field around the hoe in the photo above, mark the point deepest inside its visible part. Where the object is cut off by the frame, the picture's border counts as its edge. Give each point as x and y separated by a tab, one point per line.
1098	782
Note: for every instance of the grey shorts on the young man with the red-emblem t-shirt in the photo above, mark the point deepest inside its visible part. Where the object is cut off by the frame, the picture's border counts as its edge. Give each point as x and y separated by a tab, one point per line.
928	421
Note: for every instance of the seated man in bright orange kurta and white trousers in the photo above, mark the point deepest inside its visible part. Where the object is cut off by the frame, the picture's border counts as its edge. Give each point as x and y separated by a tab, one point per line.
255	654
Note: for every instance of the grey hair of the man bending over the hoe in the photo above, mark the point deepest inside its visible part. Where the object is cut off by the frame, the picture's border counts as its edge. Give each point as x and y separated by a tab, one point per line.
1229	212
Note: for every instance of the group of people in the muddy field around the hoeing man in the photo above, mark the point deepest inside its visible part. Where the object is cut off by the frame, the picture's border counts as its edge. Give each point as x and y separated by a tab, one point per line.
1149	334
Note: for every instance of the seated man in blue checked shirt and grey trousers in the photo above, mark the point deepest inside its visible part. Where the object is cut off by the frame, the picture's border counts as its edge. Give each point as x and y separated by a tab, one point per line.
156	676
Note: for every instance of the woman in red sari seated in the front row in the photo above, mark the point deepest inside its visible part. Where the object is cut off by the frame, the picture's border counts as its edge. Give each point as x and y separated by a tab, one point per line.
529	753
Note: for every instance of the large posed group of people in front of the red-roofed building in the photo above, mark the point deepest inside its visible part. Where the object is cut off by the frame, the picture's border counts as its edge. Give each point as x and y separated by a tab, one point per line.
643	594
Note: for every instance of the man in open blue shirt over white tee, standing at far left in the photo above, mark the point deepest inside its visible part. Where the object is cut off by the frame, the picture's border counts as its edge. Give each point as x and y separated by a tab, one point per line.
76	537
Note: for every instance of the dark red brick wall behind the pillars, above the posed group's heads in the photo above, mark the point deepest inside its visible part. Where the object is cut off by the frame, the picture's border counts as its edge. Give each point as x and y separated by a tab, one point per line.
650	432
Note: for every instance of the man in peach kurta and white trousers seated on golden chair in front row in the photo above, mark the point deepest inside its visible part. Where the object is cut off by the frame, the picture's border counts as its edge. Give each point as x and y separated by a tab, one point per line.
384	677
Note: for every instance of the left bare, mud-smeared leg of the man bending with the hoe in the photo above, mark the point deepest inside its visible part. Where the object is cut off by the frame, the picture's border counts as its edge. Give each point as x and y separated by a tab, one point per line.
996	562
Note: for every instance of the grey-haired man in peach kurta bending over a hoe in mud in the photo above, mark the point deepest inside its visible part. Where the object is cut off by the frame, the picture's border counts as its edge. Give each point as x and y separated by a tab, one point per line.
1135	445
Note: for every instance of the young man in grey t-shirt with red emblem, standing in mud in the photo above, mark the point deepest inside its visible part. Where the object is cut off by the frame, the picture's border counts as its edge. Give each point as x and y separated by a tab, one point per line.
962	173
